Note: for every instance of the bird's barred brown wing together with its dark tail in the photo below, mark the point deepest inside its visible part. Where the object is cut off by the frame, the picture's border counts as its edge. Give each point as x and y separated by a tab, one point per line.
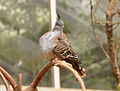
64	51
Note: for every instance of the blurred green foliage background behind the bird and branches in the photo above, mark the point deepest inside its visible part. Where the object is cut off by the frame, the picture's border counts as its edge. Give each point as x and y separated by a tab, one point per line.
22	22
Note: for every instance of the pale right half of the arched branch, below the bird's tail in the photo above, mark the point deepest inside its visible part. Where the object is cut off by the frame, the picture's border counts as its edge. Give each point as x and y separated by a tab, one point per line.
65	65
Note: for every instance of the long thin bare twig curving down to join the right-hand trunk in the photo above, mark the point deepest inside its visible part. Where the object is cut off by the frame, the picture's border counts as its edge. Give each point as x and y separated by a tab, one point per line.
100	44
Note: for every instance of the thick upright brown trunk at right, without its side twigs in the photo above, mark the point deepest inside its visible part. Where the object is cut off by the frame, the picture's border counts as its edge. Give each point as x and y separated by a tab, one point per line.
110	38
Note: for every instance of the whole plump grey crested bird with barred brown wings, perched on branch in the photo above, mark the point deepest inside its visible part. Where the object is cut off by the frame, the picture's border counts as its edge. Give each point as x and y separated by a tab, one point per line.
54	44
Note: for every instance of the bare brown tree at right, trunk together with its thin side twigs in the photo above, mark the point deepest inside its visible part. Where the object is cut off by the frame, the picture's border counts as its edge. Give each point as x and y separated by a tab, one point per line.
110	38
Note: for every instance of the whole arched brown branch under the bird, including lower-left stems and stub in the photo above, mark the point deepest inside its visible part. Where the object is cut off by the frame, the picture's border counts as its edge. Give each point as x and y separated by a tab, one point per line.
33	86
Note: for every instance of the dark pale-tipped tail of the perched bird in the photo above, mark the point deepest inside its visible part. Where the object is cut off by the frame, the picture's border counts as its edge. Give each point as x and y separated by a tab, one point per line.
75	63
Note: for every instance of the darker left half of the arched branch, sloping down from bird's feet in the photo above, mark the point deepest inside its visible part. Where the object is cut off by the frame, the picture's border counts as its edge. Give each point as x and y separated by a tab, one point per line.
41	74
